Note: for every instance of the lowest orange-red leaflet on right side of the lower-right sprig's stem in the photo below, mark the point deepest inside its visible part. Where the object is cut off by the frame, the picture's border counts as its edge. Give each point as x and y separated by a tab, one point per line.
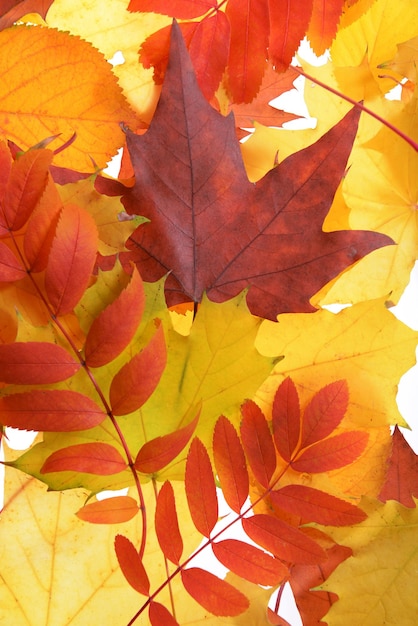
215	595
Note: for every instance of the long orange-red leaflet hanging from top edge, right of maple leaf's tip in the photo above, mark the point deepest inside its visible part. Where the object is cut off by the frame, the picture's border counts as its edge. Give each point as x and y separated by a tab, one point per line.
248	48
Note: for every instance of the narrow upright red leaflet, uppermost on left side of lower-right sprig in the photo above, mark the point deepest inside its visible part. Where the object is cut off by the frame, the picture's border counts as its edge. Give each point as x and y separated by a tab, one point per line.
286	419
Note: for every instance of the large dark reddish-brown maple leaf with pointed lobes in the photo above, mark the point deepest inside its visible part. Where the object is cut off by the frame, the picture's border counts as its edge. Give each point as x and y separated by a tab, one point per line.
212	230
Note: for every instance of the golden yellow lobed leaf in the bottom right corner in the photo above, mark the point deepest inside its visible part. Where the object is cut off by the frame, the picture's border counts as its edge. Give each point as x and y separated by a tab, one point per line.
377	585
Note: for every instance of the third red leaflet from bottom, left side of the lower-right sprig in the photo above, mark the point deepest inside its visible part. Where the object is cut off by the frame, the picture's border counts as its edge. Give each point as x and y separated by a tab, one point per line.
201	489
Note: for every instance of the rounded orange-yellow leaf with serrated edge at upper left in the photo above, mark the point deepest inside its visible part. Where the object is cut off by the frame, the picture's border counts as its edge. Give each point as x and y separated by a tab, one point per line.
56	84
